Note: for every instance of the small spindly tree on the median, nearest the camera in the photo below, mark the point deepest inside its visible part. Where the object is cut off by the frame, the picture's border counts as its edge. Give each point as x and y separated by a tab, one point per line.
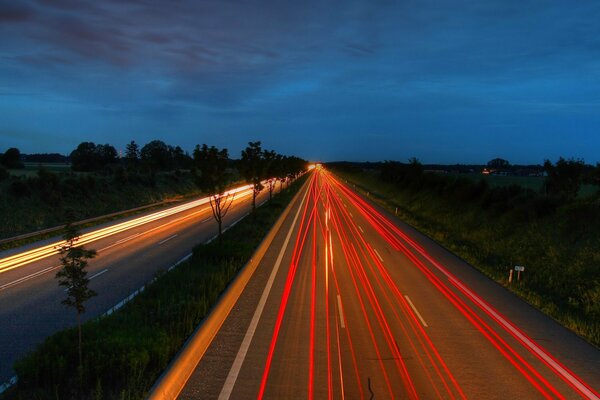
73	276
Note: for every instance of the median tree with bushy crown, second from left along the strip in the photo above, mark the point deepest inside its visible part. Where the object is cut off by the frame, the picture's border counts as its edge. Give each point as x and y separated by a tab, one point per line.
214	179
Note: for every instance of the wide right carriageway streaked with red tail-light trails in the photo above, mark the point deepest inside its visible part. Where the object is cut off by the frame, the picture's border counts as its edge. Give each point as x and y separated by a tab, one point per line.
348	302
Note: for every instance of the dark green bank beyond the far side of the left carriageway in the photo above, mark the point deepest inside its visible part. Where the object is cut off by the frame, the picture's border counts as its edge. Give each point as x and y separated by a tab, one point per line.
45	199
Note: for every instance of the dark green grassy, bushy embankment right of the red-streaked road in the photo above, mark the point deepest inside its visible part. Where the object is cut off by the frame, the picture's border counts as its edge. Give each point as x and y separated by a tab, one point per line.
555	235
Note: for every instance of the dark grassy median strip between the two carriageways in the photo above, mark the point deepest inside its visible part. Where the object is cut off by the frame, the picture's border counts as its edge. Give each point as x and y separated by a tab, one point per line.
125	353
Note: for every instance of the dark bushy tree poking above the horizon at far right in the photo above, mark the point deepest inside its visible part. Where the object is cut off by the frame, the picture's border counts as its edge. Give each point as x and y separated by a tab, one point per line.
564	178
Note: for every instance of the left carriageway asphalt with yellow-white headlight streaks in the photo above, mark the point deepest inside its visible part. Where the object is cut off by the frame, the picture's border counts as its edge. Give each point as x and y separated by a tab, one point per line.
130	253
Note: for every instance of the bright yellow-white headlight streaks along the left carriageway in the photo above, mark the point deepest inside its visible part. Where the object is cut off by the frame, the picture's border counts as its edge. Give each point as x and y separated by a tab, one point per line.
26	257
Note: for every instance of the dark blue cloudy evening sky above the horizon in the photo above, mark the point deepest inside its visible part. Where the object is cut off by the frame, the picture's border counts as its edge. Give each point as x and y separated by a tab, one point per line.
460	81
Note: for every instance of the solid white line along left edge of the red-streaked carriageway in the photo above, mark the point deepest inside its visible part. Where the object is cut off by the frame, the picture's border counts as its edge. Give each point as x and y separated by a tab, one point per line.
241	355
